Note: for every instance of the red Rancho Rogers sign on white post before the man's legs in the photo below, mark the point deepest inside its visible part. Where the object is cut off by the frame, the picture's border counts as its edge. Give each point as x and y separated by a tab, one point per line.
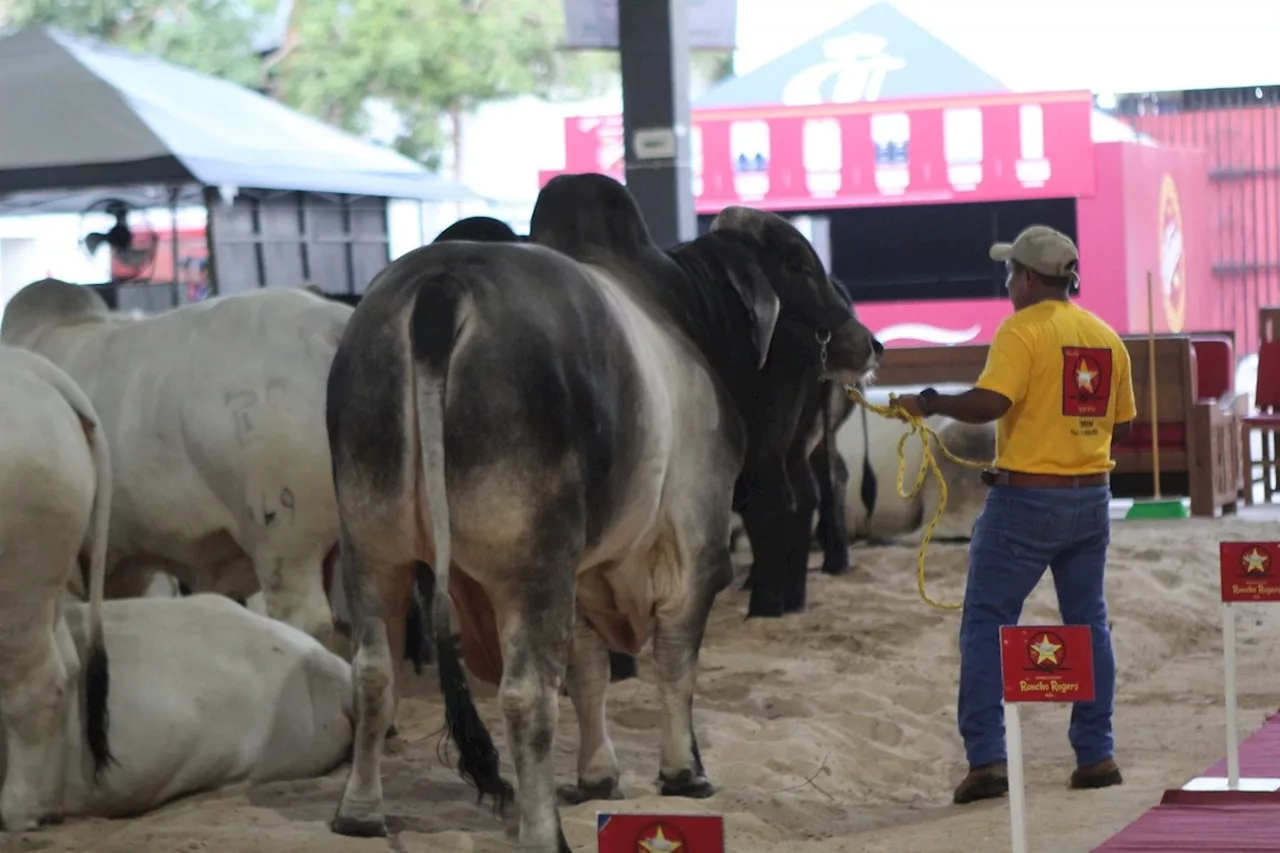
1039	664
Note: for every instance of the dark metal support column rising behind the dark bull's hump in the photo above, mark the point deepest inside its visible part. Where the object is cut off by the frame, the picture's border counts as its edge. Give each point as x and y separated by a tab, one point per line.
653	38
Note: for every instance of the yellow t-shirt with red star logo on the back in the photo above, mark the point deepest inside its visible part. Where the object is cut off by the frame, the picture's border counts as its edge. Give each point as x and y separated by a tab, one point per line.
1069	378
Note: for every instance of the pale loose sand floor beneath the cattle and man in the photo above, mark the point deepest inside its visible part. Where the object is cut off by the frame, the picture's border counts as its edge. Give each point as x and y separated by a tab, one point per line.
829	732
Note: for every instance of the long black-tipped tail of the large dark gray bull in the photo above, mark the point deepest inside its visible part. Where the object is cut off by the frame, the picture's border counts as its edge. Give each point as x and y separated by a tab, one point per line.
433	329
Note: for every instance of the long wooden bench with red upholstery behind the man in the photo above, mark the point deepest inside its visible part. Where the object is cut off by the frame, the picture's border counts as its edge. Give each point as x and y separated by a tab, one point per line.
1199	437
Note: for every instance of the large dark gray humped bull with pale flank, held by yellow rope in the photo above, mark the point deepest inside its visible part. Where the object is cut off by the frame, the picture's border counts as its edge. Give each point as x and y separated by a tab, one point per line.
595	409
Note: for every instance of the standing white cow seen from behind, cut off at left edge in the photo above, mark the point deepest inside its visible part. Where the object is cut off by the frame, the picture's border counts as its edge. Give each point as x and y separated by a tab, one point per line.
56	504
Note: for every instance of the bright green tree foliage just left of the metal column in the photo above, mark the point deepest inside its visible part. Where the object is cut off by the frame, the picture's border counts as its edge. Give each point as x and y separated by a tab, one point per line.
431	60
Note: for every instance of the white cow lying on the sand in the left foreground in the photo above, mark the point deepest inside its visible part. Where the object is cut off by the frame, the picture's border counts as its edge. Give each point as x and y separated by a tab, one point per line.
205	695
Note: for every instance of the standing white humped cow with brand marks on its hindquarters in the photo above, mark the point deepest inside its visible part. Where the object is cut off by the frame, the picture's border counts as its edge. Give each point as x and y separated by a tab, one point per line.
216	414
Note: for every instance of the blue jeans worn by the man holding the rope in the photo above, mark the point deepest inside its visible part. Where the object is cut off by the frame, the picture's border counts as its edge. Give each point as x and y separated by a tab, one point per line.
1020	533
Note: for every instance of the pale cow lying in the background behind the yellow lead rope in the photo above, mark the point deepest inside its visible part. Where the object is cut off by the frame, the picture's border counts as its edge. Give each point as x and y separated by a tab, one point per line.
868	443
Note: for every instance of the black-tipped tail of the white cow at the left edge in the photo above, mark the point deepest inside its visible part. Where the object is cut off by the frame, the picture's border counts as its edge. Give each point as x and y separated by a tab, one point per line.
97	685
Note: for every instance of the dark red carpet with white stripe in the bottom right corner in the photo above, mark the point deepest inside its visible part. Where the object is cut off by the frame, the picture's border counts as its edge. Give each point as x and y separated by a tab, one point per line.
1214	823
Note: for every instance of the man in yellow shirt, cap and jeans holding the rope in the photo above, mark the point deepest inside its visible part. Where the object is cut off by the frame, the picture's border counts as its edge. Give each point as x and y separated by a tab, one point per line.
1058	381
